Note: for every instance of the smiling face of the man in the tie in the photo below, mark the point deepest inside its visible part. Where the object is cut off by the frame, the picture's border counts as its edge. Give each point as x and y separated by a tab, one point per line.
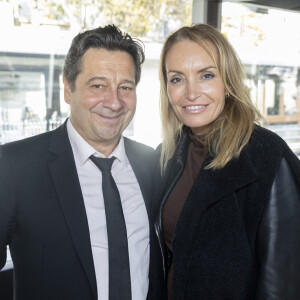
104	99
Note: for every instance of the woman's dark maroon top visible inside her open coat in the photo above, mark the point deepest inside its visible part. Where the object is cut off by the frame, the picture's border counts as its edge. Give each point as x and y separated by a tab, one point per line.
174	204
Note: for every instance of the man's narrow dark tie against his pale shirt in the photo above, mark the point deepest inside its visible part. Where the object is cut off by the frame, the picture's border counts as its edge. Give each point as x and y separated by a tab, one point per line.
119	271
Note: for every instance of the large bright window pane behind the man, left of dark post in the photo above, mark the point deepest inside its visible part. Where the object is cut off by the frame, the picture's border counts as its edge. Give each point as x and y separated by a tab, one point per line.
40	34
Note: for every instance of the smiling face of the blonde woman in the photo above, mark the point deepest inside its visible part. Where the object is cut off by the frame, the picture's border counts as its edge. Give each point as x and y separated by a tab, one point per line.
194	85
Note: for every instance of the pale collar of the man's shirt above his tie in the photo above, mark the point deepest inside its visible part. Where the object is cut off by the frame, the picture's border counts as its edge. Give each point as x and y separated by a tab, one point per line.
83	150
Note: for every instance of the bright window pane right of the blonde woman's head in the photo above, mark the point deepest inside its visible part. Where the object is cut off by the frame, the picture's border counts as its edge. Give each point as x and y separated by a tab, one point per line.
272	63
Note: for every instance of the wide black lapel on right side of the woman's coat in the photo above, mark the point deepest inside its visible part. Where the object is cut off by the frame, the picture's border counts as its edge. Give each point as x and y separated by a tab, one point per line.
210	187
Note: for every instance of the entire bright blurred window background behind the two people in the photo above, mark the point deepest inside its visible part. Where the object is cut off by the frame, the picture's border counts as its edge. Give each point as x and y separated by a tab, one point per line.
35	36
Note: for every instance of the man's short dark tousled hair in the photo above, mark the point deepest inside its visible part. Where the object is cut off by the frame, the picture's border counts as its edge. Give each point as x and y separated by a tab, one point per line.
109	38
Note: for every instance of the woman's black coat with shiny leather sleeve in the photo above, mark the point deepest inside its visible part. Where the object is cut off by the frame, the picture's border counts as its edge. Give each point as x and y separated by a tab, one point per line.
238	235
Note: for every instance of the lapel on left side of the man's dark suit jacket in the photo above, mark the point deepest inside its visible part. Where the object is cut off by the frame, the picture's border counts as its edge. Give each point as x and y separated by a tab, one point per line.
66	182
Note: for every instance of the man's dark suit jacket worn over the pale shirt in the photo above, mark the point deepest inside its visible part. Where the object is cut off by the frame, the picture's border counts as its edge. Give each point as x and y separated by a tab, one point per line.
43	218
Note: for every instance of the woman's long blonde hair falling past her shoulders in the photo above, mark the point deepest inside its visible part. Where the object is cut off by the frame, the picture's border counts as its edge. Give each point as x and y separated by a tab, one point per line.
231	131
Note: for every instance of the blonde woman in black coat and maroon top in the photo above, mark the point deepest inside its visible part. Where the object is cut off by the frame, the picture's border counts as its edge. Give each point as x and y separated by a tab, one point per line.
228	215
